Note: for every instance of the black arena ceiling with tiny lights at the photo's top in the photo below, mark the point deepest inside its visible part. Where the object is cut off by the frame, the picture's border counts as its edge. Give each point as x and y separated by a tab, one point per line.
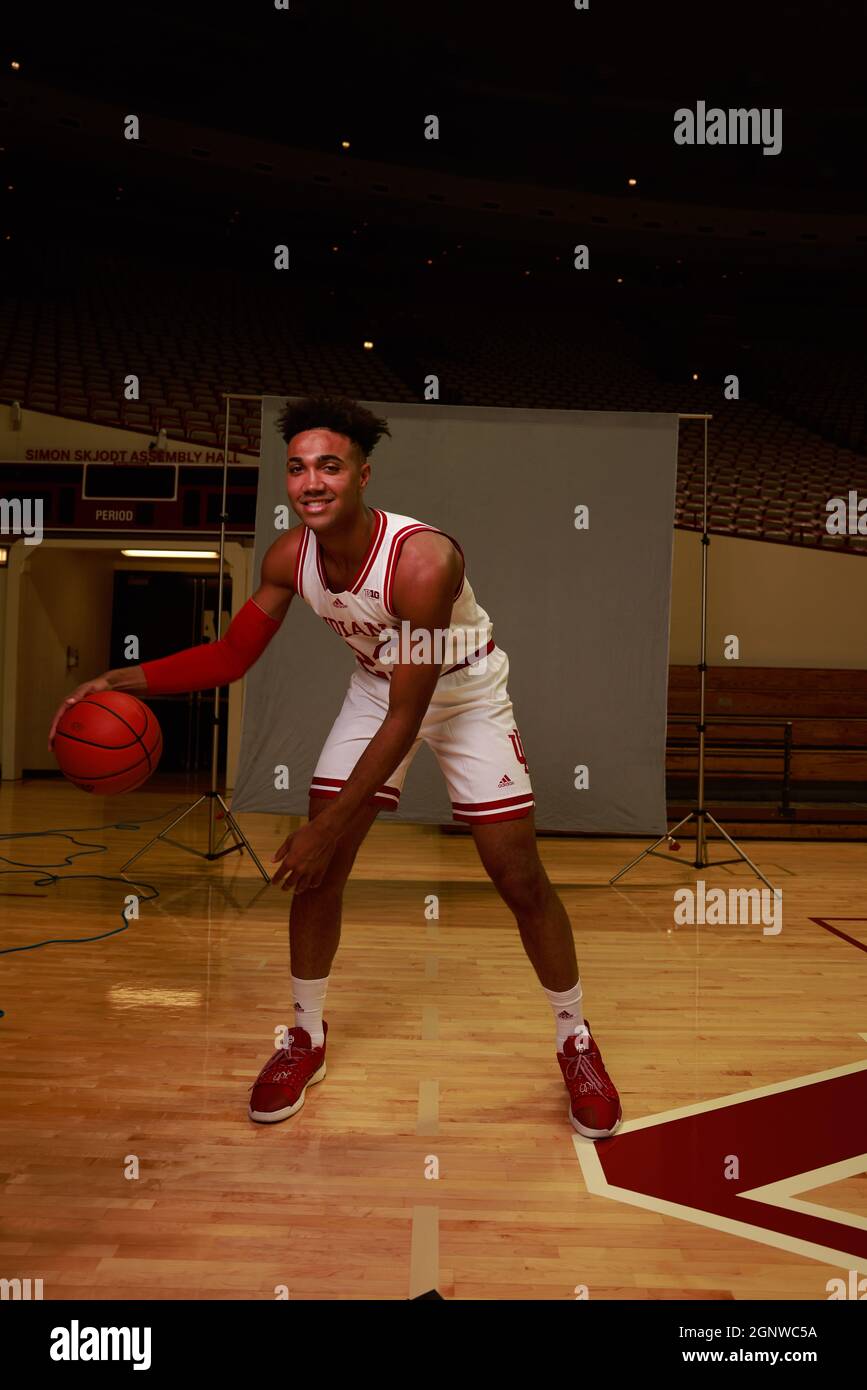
545	115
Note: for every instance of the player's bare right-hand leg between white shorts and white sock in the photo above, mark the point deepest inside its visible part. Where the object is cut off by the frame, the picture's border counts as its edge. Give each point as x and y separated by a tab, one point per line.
511	857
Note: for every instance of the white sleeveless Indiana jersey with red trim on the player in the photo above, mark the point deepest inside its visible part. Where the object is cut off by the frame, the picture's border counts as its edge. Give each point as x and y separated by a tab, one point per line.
363	614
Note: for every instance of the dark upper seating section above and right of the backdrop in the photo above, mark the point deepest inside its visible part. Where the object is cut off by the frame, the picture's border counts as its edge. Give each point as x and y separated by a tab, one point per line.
770	477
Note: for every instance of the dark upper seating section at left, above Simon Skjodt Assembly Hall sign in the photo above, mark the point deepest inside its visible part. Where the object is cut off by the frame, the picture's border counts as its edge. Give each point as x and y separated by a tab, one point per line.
188	340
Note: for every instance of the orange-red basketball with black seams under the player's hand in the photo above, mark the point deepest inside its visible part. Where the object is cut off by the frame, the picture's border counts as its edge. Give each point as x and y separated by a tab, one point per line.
108	743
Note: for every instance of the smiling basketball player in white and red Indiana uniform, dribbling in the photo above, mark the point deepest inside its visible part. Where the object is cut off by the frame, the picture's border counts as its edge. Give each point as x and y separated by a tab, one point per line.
372	573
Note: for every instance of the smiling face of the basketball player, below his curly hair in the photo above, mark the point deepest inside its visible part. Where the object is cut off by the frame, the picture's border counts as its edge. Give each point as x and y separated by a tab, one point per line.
324	479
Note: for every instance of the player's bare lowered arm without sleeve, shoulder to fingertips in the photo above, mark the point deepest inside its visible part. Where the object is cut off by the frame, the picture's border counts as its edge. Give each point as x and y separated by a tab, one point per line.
429	573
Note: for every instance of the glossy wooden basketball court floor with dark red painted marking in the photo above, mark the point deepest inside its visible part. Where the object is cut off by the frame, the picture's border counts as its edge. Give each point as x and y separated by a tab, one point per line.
438	1153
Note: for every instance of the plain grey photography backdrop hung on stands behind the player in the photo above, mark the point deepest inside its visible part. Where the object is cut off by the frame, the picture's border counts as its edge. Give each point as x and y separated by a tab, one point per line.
581	614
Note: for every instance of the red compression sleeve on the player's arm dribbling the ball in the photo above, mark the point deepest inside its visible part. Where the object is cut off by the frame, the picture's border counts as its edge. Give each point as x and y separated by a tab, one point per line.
213	664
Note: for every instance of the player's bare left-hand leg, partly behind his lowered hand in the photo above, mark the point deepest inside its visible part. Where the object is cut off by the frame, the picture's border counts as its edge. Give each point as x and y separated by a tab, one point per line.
315	919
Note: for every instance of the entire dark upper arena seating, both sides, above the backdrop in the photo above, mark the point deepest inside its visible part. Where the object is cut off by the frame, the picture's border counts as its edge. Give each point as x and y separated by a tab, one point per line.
191	337
